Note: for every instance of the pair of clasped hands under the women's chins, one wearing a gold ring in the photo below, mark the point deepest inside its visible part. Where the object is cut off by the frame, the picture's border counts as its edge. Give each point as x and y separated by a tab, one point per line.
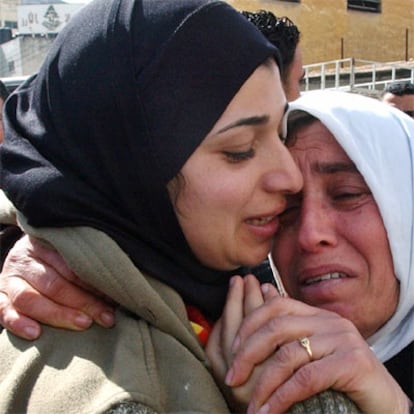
260	364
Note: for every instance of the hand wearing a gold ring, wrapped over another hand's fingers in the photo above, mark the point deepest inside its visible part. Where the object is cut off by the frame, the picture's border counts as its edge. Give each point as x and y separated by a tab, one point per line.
337	357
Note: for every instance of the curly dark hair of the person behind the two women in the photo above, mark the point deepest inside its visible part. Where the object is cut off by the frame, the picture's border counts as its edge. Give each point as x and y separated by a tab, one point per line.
280	31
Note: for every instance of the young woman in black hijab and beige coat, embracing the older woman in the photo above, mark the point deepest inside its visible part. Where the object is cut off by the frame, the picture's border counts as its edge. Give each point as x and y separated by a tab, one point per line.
146	151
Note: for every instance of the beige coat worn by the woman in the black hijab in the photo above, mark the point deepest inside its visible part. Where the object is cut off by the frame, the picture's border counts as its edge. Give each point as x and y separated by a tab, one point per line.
151	356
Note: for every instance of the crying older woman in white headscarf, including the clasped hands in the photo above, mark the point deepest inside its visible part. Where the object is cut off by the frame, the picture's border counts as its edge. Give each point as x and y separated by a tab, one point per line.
345	253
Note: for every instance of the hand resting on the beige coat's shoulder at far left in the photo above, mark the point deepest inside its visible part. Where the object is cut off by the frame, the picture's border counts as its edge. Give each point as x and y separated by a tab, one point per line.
36	281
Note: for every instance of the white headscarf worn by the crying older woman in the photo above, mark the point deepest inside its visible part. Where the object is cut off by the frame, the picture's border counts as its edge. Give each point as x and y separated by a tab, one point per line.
379	139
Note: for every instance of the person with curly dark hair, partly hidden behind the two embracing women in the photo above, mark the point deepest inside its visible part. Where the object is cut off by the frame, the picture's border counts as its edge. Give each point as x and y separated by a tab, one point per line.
285	35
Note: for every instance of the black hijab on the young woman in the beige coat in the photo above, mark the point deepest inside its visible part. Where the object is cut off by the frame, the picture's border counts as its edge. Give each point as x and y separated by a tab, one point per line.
126	94
